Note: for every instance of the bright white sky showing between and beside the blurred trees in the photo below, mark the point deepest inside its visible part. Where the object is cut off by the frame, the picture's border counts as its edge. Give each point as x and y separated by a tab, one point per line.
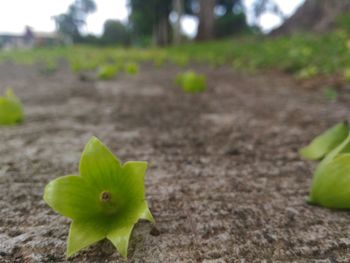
16	14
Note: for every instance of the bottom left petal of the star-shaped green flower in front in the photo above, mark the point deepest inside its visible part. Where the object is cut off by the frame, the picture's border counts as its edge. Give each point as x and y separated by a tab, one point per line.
83	233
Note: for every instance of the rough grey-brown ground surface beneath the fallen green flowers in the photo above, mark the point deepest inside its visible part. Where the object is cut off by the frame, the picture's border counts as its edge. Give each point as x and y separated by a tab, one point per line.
225	182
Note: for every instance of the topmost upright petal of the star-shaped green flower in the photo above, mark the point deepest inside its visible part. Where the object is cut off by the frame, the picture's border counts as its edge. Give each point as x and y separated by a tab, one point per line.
98	165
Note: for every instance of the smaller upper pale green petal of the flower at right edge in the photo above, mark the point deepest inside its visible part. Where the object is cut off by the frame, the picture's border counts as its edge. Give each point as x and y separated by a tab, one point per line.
326	142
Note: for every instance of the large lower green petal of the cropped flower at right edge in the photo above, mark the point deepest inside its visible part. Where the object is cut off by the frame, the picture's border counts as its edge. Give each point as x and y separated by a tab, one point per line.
331	185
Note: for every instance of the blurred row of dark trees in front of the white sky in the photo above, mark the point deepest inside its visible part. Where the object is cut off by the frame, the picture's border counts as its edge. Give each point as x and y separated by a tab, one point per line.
150	19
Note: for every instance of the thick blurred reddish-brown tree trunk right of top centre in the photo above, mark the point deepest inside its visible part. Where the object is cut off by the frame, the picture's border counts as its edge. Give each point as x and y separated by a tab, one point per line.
206	20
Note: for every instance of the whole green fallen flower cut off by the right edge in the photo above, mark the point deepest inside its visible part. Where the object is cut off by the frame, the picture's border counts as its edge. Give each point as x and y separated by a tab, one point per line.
331	180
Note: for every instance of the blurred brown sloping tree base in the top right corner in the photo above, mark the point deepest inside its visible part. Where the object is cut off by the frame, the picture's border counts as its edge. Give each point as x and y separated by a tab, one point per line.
315	16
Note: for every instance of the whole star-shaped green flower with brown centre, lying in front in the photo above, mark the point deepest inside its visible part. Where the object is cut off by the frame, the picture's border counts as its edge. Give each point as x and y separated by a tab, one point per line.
105	201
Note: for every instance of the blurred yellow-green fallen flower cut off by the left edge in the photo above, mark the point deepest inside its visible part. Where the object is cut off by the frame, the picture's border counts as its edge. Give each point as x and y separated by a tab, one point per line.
11	109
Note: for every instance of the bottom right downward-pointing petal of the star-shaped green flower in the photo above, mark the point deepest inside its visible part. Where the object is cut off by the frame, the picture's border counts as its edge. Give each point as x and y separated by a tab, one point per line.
120	238
